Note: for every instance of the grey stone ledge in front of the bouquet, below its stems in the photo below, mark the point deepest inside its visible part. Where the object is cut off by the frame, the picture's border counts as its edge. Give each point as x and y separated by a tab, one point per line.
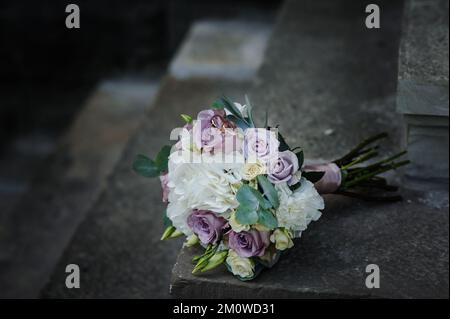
408	241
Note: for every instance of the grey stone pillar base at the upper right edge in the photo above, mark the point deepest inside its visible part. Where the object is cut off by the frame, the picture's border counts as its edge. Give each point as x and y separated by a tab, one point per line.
423	89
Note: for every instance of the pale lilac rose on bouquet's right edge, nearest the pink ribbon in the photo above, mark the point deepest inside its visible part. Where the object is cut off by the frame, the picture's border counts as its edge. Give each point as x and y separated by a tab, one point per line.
284	168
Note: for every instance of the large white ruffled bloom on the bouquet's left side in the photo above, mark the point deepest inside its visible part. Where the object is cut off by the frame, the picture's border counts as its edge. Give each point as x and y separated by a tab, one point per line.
208	183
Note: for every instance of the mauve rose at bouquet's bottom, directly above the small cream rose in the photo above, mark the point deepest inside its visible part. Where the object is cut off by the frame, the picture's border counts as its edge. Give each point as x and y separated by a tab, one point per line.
249	243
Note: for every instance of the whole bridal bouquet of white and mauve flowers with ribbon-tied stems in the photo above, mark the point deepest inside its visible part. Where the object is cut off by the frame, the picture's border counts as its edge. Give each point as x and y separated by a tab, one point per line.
243	194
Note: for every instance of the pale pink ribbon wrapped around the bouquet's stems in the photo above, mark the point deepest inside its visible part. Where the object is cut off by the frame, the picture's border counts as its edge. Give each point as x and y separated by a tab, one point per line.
331	181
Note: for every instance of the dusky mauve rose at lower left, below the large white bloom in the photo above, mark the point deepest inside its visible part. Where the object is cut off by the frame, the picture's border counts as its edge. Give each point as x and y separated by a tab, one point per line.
206	225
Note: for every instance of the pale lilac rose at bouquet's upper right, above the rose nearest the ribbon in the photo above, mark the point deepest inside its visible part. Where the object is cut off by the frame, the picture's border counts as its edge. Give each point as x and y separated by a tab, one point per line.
260	145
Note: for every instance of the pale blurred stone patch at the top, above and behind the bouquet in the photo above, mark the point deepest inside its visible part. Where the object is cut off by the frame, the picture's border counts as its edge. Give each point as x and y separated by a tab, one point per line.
221	49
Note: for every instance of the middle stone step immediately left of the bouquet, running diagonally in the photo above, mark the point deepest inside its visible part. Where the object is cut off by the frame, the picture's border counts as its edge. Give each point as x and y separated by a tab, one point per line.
117	247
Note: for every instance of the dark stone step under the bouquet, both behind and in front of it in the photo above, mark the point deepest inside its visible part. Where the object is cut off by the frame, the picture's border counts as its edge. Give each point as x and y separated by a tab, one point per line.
324	71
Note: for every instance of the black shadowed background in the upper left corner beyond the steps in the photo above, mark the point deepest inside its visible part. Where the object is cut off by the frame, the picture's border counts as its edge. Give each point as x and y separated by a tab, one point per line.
47	70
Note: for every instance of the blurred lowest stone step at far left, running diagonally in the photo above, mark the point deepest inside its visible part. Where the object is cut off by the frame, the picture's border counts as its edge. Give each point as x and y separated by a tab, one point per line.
35	231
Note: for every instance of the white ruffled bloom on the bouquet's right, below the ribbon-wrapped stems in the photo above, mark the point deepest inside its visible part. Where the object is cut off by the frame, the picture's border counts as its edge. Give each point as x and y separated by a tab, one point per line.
297	209
